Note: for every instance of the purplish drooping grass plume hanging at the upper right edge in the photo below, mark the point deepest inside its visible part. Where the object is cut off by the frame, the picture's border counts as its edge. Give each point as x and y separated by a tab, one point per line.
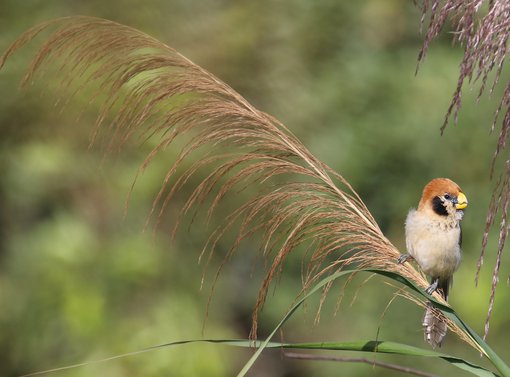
481	27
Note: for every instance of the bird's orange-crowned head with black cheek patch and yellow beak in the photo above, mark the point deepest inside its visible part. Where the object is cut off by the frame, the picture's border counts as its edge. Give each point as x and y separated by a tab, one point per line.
443	197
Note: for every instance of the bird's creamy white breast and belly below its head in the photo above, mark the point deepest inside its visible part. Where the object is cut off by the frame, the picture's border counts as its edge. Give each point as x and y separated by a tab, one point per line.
433	243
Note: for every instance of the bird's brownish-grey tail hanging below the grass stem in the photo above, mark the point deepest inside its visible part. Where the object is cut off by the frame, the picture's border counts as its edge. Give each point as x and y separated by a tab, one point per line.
434	322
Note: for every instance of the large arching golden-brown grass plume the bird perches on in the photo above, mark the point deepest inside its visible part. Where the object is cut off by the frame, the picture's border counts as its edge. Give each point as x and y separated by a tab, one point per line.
145	88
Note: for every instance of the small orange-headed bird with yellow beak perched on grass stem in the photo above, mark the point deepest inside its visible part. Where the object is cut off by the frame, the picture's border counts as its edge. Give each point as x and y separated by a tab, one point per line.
433	239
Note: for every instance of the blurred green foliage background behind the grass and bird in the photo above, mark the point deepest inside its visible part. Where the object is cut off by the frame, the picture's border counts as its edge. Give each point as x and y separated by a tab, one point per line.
80	280
